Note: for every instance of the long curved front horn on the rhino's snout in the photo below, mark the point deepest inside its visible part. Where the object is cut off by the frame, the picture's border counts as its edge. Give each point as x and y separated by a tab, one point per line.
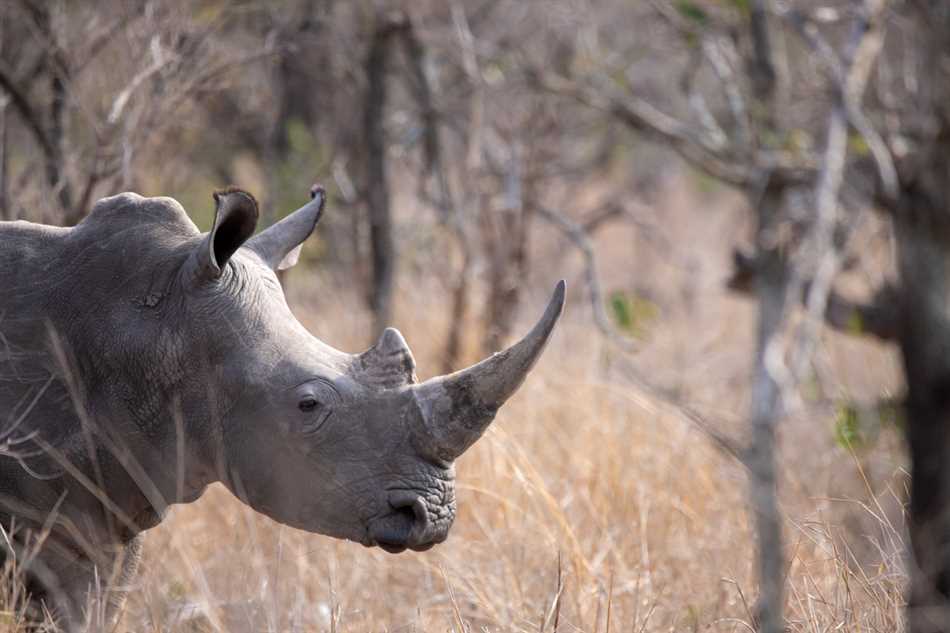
455	410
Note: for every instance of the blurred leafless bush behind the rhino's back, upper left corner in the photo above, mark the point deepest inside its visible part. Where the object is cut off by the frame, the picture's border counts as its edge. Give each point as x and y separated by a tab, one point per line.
84	140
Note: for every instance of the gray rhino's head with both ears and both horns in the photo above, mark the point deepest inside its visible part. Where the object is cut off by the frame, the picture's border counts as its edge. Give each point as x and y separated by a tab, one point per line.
348	445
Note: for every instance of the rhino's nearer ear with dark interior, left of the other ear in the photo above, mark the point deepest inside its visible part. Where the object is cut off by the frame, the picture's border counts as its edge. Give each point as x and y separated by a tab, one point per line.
235	218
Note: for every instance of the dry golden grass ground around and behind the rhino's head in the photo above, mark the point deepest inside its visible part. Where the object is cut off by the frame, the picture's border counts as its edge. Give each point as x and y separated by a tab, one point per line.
591	505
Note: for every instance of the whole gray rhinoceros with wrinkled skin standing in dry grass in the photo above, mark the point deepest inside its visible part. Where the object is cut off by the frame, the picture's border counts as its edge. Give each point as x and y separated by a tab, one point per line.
141	360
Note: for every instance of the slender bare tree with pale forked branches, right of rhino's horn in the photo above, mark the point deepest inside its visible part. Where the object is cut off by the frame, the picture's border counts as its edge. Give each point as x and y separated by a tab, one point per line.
795	255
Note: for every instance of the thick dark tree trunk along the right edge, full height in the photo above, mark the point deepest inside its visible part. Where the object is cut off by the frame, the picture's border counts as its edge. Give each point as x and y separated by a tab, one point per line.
921	219
